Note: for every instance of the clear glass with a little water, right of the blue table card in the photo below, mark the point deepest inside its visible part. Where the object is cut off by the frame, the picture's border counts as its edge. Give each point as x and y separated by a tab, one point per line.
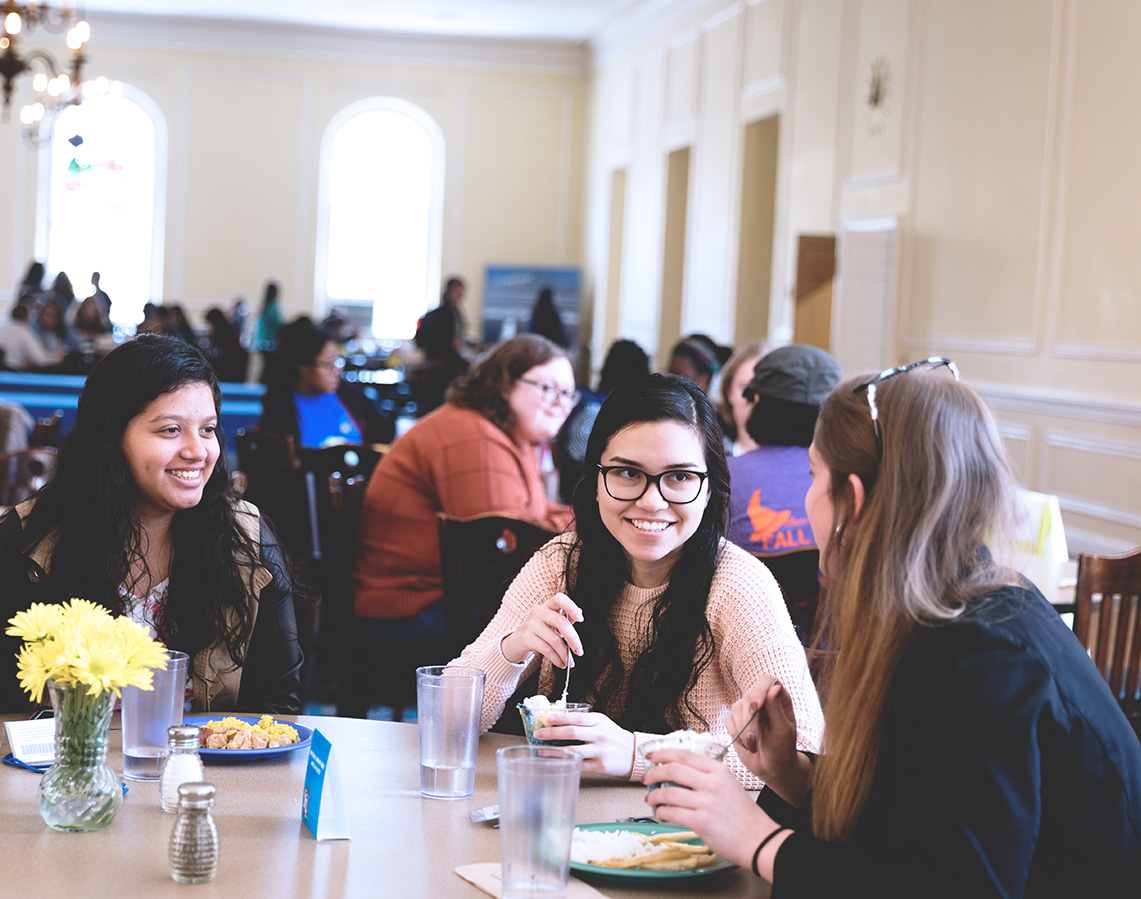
450	701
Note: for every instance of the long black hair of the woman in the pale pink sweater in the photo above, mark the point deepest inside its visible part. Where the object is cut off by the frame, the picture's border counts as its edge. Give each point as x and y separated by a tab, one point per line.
682	643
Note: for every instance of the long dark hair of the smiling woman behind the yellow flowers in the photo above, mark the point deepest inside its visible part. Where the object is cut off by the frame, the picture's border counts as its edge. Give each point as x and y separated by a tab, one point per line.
91	507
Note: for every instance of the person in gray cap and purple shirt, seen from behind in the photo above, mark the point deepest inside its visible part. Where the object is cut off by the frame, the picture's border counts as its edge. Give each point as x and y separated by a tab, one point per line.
768	484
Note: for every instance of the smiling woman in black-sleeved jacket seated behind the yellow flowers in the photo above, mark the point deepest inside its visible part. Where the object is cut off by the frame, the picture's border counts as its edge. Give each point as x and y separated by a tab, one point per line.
142	521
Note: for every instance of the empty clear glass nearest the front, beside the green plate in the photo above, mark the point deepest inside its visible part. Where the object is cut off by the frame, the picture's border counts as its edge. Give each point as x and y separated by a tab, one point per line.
538	793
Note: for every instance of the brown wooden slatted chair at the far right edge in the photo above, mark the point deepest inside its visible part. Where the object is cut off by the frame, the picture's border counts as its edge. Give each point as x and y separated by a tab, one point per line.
1108	623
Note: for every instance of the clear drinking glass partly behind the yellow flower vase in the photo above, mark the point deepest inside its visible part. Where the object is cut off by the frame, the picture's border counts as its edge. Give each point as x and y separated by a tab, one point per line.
149	714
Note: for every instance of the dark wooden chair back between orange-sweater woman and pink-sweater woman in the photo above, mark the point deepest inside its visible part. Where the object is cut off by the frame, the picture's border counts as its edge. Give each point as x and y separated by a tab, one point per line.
480	557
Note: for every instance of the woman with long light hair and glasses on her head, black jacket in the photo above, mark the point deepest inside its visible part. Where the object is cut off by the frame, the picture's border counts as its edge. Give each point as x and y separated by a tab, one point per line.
973	748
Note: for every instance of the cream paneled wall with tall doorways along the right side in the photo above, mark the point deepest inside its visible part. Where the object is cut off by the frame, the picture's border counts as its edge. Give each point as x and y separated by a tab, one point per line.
986	210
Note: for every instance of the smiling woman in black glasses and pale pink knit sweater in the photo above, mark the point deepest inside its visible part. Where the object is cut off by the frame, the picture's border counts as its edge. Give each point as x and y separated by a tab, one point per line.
666	621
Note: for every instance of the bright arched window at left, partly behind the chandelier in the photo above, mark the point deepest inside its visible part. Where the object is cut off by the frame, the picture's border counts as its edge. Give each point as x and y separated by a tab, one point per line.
104	181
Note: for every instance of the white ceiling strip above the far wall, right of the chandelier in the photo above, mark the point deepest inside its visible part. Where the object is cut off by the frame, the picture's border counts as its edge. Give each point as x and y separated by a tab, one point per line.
573	21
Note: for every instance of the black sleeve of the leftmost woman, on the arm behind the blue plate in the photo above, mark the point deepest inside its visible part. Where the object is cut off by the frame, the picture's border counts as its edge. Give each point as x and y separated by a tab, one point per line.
272	674
